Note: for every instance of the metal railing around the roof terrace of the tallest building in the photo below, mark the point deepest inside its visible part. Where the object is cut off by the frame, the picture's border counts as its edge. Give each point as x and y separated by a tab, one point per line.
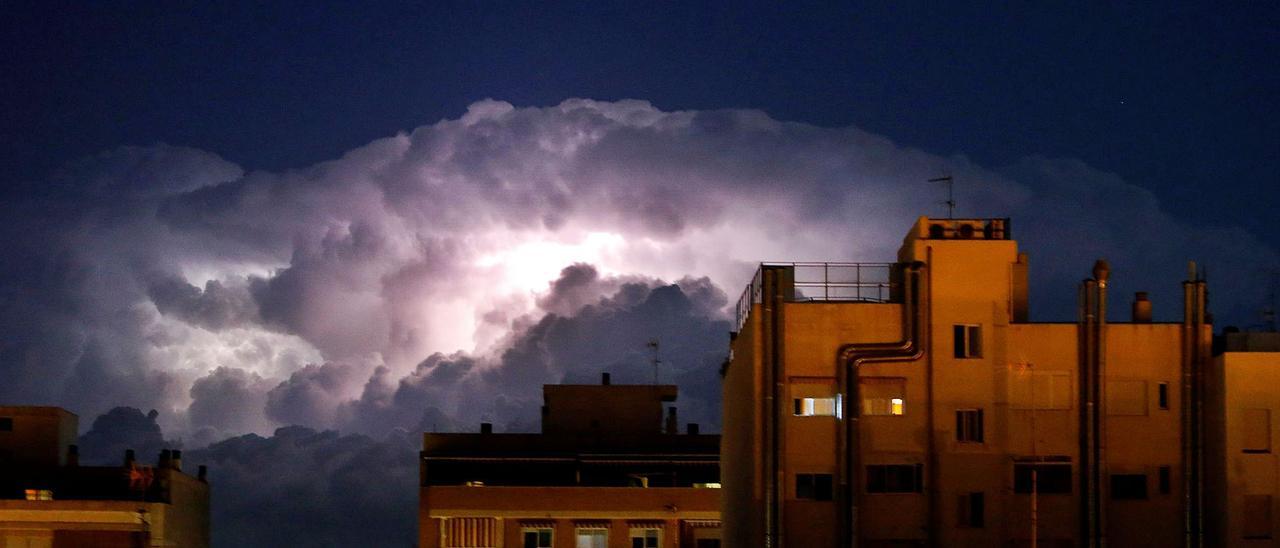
838	282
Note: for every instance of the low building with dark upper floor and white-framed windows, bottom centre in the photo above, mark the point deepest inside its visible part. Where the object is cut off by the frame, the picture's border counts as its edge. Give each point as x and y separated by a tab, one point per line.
609	471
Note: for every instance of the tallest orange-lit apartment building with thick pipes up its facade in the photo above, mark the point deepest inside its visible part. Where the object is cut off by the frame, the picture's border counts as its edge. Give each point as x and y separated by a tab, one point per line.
913	404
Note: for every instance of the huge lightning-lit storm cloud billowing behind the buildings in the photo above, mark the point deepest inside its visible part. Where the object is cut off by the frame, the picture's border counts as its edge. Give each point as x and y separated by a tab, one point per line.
440	264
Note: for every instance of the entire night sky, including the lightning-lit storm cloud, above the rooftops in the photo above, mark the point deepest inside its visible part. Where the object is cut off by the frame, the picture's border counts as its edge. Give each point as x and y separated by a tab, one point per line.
305	236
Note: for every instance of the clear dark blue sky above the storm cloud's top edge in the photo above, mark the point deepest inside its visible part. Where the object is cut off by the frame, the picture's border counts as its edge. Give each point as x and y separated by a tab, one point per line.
1180	99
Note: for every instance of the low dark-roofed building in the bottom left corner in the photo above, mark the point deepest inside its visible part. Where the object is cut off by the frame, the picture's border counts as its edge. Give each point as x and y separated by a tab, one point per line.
49	501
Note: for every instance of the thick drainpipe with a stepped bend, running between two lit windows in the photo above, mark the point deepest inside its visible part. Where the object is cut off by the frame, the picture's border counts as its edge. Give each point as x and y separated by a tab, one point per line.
849	360
